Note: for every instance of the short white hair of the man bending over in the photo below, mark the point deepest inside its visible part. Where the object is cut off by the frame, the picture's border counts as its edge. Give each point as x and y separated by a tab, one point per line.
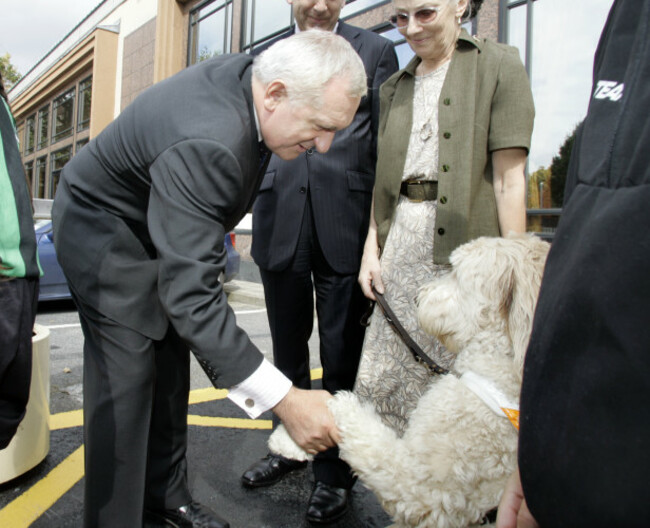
307	61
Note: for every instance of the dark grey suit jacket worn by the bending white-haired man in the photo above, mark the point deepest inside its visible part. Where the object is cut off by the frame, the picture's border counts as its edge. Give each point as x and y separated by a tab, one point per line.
141	212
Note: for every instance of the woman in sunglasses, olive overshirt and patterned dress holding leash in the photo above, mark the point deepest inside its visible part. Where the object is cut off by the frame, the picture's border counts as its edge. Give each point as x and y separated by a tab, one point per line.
454	134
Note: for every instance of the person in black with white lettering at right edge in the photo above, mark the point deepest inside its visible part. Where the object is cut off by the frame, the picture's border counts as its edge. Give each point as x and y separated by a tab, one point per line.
584	454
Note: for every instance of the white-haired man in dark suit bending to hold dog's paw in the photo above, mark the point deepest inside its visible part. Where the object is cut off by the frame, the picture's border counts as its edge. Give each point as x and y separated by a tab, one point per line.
140	216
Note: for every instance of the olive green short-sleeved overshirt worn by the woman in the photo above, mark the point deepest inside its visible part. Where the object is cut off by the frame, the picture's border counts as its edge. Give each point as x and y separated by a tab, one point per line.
485	105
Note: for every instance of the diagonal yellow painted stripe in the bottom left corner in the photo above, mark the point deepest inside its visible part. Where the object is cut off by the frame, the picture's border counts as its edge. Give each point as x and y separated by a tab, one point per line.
24	510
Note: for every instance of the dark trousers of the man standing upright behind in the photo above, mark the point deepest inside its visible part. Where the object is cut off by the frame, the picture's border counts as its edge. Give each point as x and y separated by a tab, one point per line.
339	306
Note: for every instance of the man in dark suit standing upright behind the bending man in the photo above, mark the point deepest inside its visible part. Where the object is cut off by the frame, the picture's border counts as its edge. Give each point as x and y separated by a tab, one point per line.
309	226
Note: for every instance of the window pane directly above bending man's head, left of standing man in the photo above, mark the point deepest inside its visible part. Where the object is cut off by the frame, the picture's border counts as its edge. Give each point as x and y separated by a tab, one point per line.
265	19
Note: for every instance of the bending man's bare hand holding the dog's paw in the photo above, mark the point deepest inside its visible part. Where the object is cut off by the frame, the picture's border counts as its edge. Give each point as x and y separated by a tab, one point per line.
306	417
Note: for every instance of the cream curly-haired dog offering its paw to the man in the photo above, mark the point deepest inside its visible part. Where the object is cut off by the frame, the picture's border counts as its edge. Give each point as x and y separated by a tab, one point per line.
451	465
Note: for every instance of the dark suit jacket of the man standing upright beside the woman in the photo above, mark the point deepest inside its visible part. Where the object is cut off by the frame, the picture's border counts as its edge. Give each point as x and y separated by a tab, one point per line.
340	181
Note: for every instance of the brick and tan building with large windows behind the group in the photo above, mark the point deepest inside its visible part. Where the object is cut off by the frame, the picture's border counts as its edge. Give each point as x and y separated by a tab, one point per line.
122	47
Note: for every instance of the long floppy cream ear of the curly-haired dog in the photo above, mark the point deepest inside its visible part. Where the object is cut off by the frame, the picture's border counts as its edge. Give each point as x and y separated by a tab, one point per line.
527	270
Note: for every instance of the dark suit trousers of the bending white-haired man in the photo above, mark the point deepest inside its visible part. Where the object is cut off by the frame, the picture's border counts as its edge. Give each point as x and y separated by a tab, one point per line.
135	421
